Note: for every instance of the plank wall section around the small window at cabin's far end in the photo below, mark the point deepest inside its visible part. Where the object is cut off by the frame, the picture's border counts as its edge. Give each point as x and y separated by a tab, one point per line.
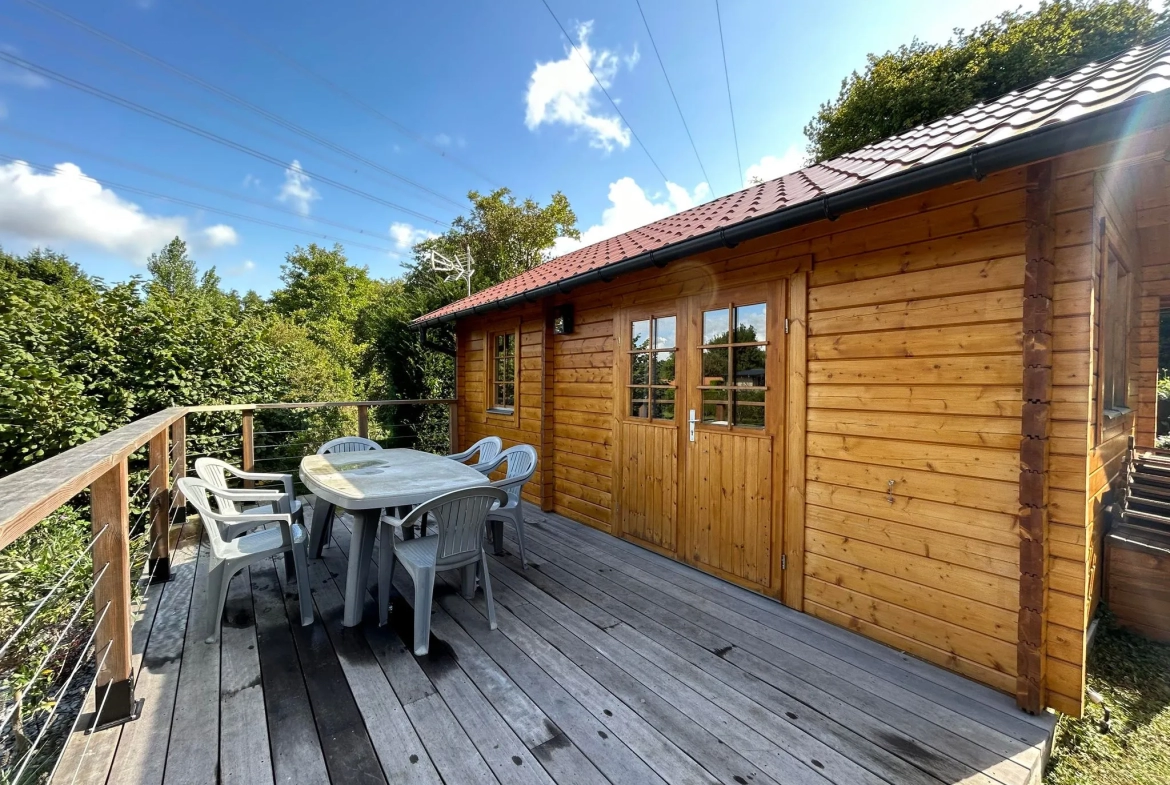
525	426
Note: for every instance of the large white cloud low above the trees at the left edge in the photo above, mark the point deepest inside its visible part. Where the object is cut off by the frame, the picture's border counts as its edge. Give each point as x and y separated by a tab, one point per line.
66	206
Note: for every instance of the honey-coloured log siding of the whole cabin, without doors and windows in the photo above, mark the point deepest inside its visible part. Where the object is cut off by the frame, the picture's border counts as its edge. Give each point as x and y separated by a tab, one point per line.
913	320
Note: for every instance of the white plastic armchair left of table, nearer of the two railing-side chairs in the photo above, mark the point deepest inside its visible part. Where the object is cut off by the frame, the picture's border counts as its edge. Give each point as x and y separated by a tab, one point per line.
231	556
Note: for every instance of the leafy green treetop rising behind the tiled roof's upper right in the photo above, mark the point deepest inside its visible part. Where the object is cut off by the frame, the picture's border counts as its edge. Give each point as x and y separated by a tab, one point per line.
921	82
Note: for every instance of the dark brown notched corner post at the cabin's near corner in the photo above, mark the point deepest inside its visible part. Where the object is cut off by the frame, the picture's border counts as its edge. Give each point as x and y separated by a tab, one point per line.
1040	286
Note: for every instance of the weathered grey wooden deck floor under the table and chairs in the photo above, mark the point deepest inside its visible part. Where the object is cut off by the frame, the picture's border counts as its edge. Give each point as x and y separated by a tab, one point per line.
611	664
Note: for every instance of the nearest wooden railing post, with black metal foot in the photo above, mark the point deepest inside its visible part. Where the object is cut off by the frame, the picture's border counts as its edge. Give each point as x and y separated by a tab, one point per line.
111	512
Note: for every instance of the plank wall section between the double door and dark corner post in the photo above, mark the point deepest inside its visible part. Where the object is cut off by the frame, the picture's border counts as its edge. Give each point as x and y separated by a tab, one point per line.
914	376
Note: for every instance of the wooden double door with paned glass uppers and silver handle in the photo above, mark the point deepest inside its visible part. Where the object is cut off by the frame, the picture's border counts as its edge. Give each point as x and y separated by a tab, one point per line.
700	422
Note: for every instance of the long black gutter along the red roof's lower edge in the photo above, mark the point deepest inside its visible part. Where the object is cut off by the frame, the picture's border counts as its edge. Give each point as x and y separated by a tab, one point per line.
1047	142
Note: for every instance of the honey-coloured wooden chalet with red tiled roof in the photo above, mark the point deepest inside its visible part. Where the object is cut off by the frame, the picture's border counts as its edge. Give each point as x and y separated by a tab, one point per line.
893	390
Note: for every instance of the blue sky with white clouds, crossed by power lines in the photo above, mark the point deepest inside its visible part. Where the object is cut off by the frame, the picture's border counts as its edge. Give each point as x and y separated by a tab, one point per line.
452	97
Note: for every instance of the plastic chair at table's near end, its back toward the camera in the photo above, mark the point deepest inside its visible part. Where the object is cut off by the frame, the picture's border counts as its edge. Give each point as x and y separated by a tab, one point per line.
462	518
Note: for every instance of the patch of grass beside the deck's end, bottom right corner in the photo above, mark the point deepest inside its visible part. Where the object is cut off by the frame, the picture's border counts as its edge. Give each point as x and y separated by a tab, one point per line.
1133	674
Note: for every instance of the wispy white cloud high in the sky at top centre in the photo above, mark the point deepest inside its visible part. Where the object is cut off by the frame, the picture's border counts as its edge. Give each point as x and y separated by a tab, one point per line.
565	92
